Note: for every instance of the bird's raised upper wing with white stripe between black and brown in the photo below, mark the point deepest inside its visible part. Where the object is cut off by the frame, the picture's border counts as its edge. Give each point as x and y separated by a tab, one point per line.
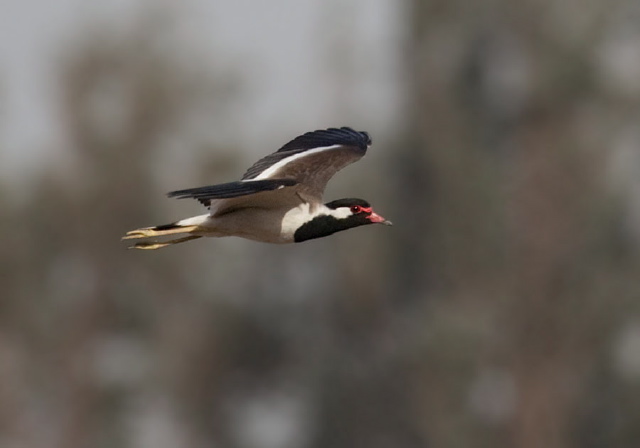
312	158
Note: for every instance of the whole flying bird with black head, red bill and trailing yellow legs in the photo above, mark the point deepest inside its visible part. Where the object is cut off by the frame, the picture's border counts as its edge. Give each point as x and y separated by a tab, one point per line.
279	199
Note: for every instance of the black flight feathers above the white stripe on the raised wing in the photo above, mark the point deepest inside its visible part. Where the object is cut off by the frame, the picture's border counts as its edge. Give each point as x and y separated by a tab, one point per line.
316	139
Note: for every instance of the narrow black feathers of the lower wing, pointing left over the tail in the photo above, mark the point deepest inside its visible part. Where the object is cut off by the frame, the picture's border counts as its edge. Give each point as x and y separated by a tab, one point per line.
231	189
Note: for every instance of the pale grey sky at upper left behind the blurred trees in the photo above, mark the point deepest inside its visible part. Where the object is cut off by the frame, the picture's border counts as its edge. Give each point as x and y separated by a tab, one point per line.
291	67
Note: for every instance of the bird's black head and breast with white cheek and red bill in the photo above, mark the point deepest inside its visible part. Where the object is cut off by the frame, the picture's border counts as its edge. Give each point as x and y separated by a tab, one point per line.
341	214
